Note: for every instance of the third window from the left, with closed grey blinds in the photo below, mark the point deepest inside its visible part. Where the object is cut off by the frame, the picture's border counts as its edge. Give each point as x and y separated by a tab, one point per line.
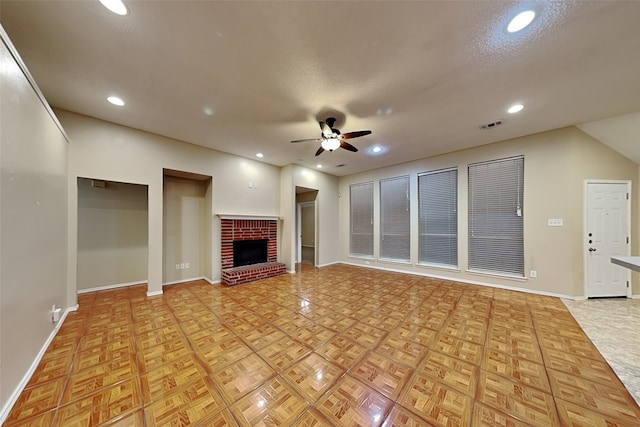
438	223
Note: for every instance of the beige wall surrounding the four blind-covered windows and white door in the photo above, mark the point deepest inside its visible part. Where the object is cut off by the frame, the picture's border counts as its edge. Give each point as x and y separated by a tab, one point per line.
556	165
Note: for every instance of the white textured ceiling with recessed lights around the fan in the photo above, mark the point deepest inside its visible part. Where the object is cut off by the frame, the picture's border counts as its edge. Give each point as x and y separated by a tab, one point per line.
423	76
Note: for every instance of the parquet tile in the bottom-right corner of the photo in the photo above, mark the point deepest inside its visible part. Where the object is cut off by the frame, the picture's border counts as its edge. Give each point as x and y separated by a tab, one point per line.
612	402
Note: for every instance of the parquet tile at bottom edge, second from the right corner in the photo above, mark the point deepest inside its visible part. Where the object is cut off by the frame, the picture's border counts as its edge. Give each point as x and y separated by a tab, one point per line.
525	403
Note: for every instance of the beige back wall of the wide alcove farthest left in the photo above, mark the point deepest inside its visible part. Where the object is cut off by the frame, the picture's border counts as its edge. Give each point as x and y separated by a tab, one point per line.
112	234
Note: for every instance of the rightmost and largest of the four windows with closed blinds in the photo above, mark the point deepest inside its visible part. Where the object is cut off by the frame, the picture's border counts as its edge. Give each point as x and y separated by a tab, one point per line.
495	216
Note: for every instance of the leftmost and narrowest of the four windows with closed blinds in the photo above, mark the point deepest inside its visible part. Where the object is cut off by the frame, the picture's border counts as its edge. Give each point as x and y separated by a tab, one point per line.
361	196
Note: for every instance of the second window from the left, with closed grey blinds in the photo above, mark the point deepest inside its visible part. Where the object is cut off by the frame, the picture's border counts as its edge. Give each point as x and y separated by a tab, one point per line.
394	219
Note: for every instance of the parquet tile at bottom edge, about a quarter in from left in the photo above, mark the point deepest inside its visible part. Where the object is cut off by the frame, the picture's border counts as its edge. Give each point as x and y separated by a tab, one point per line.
190	405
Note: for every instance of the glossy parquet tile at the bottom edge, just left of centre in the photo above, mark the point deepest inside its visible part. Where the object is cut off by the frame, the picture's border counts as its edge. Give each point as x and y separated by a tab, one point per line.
273	404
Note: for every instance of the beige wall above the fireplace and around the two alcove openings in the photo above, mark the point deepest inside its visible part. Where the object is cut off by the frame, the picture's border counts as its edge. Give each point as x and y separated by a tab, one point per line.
110	152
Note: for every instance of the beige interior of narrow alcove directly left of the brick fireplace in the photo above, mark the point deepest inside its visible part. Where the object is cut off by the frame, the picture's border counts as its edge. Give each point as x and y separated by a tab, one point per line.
185	238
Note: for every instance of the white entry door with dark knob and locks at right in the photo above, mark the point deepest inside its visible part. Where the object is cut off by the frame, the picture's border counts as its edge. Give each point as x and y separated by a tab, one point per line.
607	234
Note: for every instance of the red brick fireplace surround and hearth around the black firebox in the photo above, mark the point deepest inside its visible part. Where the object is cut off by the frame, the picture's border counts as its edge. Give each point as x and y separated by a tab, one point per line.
234	229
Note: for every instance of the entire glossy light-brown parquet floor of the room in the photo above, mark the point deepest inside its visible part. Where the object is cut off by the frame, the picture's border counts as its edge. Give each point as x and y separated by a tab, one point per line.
337	346
